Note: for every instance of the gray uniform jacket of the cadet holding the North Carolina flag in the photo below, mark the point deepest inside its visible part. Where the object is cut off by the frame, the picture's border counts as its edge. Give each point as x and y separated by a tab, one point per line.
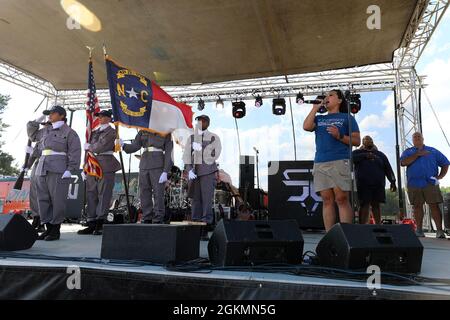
154	159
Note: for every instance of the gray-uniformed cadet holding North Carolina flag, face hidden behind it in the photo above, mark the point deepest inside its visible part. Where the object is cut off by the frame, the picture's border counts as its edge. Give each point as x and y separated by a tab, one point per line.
155	163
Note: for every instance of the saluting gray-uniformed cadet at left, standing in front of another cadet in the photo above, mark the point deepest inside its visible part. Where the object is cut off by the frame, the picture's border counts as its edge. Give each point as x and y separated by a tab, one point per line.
61	152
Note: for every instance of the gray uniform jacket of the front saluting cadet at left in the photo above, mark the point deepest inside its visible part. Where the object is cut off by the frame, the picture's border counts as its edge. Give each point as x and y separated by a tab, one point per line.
63	139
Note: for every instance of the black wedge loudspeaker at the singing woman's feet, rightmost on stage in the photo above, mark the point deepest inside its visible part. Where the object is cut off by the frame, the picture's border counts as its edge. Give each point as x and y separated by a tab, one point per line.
394	248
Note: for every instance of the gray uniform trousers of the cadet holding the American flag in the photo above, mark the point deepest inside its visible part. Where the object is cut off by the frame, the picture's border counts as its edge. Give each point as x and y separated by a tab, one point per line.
99	194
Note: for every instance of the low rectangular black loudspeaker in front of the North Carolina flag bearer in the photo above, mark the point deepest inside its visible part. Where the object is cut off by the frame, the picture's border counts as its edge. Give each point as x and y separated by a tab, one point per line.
157	243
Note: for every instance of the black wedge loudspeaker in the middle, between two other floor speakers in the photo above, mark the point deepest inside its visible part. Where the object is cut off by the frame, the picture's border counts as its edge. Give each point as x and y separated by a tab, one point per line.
243	243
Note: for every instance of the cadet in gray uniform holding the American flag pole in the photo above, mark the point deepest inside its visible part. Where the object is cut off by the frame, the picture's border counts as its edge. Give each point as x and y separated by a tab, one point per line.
99	191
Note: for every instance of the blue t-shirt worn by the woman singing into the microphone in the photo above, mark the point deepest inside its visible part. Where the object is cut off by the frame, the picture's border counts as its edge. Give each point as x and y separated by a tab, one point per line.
327	147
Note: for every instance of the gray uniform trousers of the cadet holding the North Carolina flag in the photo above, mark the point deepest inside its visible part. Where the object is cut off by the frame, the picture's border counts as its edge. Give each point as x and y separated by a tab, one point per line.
151	194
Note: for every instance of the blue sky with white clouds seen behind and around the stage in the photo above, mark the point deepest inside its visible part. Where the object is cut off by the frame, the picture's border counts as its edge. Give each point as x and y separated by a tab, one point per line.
271	134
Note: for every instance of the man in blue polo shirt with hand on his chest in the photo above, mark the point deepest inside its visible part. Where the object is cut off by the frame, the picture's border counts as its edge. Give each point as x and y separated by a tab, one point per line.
423	177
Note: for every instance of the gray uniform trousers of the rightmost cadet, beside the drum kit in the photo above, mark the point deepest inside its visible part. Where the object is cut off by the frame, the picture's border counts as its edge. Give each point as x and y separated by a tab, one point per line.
203	193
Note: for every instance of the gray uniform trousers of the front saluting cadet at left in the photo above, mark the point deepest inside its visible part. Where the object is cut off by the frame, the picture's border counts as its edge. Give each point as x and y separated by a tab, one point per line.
52	197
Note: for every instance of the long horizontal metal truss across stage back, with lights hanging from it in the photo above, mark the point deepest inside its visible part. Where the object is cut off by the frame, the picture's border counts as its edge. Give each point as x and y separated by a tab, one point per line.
380	77
